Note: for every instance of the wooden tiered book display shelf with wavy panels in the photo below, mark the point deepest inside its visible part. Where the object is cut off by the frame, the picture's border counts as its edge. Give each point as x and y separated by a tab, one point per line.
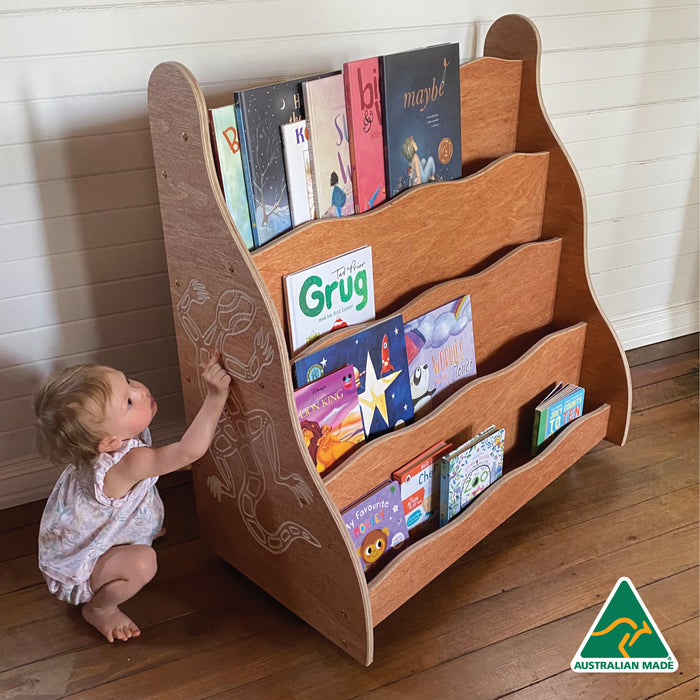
510	232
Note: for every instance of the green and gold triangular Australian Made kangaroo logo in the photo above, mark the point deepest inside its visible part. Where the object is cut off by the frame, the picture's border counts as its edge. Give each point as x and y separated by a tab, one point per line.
624	637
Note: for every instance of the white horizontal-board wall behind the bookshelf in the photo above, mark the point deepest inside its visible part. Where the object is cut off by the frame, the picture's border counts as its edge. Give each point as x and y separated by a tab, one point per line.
82	267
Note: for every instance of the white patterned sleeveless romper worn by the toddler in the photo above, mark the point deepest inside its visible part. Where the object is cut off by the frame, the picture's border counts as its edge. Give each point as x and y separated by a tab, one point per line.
80	523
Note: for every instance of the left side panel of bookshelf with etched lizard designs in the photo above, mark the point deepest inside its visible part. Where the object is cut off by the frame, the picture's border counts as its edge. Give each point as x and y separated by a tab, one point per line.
260	501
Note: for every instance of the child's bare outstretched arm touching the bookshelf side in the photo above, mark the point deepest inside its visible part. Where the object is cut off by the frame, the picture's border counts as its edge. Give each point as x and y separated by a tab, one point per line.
144	462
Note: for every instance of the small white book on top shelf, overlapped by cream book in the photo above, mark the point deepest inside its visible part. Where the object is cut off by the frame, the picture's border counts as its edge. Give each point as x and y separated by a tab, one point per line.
297	167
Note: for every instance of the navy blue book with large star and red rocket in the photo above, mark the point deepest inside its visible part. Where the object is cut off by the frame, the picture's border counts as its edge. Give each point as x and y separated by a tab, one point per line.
378	355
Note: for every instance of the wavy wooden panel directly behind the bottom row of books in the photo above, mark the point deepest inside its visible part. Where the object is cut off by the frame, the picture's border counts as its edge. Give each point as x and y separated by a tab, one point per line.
506	399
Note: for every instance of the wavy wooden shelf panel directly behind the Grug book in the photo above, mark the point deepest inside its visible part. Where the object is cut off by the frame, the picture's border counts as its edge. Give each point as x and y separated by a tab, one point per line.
440	230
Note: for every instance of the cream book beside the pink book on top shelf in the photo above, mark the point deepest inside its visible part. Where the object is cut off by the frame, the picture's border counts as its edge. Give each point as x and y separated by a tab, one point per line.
328	146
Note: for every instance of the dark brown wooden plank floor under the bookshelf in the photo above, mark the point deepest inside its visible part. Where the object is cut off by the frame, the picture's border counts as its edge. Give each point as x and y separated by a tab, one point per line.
504	621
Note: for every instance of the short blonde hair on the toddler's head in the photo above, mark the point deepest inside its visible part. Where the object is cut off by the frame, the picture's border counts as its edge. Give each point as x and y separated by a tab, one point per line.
69	407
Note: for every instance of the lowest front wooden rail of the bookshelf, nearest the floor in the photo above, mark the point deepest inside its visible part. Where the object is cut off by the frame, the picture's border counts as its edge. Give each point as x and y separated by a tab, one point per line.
423	561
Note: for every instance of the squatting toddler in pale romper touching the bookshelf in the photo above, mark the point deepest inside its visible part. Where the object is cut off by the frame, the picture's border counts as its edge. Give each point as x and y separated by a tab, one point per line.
104	512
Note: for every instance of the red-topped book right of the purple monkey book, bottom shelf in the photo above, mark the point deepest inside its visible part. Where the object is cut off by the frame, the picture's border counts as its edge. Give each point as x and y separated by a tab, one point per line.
419	481
